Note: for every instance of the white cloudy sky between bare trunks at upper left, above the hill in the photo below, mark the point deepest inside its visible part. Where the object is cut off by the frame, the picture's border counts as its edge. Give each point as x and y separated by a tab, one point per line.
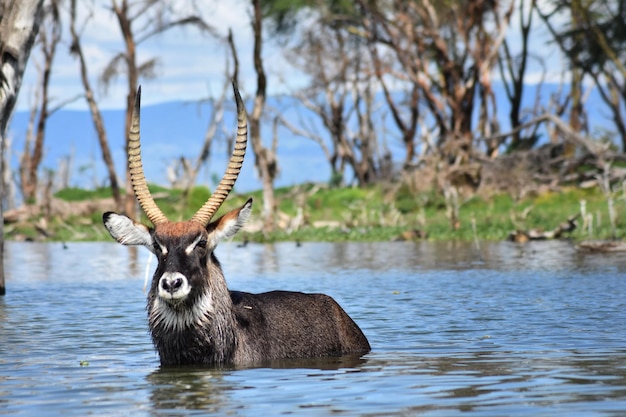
191	65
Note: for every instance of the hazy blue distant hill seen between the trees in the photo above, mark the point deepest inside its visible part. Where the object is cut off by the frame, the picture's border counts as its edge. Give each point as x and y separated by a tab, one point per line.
174	129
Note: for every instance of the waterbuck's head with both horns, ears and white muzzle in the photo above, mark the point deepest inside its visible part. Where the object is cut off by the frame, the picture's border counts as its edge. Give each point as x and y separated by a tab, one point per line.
184	249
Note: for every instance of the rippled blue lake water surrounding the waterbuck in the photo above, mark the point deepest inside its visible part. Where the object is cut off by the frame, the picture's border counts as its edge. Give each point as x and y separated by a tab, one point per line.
500	330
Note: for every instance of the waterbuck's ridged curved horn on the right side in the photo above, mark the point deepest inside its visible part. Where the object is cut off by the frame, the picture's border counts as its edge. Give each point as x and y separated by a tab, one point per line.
208	210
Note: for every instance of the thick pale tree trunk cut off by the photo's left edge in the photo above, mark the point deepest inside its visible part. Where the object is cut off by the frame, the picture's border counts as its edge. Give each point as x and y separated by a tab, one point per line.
19	24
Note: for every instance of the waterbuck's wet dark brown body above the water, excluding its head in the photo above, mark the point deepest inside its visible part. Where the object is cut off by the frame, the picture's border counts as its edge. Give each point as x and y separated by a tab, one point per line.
260	327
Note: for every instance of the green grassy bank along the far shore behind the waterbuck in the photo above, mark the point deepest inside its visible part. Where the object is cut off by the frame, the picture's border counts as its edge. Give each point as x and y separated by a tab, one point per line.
318	213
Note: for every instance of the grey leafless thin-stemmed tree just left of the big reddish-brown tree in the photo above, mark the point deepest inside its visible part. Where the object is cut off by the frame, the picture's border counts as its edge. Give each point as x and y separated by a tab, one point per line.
340	93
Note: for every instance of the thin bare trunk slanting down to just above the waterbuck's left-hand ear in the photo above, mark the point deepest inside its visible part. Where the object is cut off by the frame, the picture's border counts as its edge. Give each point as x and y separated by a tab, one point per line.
96	116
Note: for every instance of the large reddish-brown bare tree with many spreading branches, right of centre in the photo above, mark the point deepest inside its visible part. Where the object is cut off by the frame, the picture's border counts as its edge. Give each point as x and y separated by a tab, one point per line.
448	49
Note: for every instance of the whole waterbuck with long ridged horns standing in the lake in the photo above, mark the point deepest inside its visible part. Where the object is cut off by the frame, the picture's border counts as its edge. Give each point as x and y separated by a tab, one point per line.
193	317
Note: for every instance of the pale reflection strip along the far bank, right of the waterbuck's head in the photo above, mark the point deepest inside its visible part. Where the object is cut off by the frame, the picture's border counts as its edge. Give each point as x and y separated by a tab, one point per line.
340	258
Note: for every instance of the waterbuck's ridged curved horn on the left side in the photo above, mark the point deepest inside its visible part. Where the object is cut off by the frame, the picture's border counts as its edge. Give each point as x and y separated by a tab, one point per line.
135	167
